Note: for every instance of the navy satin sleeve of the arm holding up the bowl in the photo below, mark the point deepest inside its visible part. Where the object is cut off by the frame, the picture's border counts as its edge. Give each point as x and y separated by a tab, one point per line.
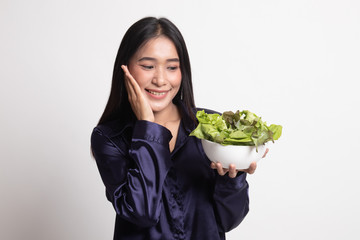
231	200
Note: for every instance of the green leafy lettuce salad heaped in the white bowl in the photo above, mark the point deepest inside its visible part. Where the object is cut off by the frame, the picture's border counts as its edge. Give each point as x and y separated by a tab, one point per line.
239	128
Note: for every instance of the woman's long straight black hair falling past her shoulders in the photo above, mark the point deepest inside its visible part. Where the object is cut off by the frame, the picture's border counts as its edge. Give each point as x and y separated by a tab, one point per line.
137	35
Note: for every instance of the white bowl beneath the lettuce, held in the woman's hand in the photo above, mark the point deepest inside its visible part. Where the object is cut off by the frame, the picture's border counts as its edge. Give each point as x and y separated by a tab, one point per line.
240	156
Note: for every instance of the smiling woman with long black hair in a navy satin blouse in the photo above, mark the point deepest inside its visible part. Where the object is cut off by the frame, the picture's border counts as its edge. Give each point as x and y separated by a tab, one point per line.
159	179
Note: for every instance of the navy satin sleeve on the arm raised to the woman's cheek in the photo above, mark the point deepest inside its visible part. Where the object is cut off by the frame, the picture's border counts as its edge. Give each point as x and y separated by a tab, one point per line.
134	181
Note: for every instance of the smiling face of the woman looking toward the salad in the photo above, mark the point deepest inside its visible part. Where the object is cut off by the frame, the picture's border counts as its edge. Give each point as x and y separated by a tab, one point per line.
156	68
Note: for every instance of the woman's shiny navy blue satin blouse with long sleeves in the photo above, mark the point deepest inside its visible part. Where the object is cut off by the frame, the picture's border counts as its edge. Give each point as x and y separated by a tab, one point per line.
158	194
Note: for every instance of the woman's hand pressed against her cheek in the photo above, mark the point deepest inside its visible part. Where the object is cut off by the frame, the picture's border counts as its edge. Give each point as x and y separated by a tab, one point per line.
138	102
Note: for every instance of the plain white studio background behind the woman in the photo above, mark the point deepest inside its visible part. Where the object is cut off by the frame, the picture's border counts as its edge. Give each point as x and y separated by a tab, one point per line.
295	63
